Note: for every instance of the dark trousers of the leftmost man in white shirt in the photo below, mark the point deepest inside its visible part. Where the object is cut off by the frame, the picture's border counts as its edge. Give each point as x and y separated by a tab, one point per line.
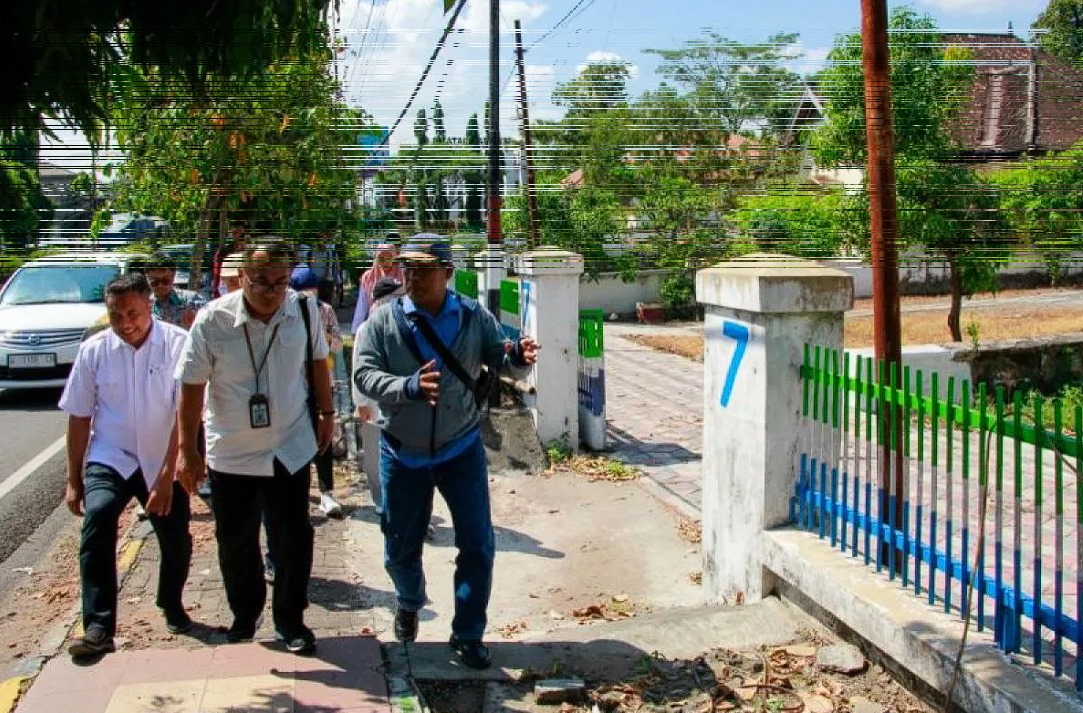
107	497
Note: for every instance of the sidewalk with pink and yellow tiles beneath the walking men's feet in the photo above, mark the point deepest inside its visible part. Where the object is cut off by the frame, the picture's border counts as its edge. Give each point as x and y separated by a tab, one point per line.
199	672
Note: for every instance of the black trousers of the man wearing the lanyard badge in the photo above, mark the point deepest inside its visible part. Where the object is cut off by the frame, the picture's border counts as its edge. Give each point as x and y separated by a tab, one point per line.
239	503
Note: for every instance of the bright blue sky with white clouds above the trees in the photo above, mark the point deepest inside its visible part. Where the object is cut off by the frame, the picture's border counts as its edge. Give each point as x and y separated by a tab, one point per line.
388	43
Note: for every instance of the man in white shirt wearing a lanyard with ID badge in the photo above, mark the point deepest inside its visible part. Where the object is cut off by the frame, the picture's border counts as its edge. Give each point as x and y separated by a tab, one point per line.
246	352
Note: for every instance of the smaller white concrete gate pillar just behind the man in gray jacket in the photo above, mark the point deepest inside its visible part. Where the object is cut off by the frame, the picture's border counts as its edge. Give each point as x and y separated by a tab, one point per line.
550	309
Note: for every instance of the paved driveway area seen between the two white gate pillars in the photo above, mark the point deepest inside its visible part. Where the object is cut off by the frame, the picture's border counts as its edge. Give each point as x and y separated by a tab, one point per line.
655	412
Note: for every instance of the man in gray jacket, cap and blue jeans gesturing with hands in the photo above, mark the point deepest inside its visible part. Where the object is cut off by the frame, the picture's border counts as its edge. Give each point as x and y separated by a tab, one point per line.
432	436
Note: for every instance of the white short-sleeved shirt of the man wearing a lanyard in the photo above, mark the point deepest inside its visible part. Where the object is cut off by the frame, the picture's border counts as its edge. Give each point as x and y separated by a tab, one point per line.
216	354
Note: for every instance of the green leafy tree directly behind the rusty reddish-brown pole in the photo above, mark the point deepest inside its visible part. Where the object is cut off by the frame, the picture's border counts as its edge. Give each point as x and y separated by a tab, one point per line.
945	208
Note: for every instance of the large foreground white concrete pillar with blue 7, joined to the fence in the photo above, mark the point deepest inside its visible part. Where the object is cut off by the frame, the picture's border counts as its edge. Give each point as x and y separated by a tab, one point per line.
761	313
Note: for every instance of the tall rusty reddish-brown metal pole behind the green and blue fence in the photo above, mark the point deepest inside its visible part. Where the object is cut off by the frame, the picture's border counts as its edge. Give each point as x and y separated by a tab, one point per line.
888	322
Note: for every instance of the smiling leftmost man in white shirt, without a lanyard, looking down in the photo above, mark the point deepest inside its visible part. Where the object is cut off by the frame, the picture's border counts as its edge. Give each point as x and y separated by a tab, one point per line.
122	444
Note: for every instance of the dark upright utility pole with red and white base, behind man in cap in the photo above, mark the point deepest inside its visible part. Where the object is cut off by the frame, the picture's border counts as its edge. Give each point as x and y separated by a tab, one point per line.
494	263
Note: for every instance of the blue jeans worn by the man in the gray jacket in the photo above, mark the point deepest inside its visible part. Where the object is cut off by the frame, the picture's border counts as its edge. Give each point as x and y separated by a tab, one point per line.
408	498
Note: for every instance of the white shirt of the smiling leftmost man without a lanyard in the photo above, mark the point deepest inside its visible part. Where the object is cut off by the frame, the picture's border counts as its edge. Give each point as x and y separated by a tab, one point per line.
132	397
